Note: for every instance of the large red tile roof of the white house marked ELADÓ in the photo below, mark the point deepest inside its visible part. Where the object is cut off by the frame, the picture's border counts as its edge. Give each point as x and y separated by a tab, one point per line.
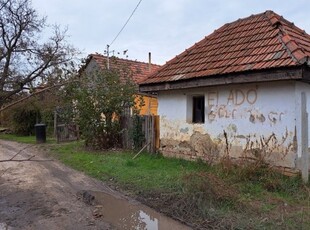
258	42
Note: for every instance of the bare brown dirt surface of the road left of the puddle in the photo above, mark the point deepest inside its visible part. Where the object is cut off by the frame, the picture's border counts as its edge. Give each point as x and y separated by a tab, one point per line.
41	194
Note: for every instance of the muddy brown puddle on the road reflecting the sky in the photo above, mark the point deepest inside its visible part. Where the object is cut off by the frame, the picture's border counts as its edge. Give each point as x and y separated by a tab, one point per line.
124	214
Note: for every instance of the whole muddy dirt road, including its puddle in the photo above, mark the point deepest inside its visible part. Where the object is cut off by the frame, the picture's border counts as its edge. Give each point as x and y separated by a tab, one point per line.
37	192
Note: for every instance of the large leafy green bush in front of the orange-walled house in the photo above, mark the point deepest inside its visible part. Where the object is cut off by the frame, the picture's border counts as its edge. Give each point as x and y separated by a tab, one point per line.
100	98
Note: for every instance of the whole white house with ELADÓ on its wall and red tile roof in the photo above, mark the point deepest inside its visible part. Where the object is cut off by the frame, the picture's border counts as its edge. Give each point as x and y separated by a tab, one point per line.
237	92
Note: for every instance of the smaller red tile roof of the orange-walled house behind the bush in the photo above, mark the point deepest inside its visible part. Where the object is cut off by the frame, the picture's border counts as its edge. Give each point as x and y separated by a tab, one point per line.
138	70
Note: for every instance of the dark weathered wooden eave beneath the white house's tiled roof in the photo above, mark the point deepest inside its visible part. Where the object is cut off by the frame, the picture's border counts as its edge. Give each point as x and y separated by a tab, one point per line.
279	74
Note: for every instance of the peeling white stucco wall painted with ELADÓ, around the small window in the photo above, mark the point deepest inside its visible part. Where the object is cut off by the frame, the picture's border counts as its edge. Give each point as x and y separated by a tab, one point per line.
247	121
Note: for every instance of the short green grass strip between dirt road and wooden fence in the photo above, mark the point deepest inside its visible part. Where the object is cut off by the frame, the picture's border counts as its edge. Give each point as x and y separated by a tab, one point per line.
146	173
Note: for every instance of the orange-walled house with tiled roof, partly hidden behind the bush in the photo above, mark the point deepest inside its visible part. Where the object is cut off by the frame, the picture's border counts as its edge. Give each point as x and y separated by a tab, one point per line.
127	68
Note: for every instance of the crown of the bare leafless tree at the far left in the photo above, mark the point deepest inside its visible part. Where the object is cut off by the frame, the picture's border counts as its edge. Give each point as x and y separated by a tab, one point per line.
26	57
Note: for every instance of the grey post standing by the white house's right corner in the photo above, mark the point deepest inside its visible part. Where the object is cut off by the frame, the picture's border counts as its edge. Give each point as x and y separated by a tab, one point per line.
304	139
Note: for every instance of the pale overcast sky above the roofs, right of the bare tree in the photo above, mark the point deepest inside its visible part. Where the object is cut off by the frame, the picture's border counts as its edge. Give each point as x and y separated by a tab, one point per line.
163	27
